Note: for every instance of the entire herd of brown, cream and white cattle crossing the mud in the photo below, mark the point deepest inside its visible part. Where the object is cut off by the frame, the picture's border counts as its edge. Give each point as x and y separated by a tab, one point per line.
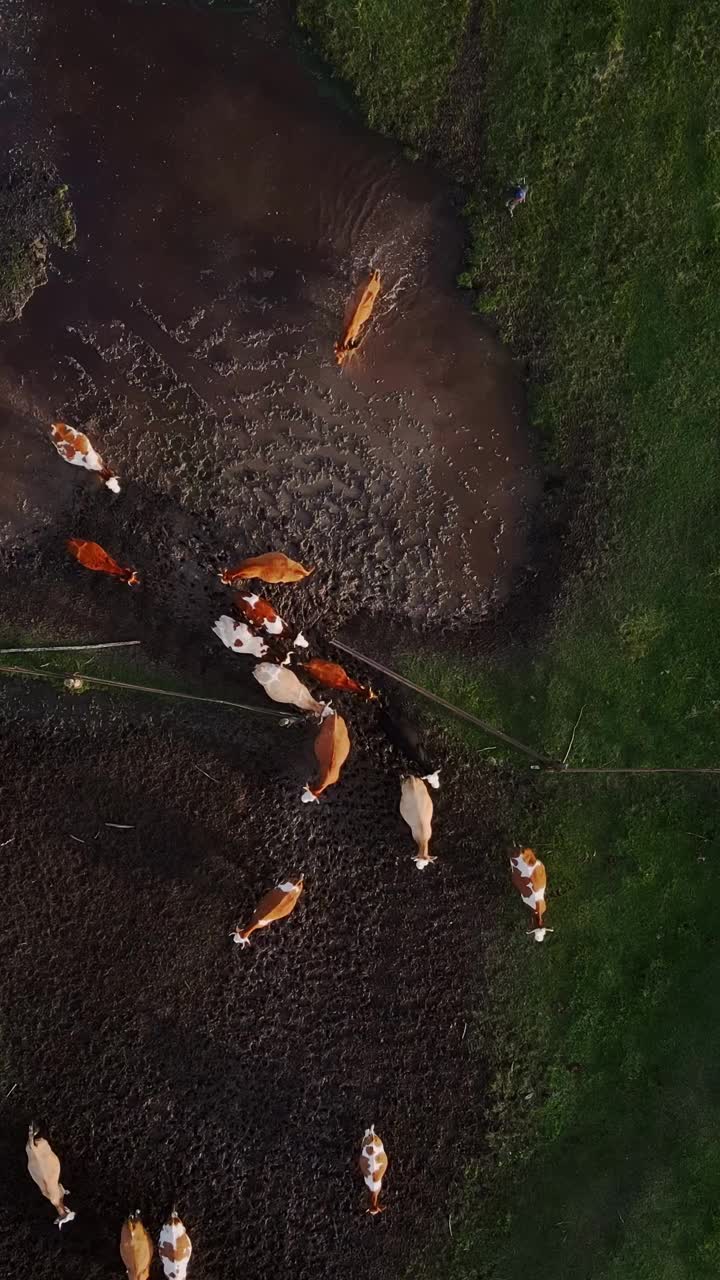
258	633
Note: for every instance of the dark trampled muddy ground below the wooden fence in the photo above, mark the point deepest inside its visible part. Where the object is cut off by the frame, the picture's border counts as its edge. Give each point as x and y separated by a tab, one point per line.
167	1063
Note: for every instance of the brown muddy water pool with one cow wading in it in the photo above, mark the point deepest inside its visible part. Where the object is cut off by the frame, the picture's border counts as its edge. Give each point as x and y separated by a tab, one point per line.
227	213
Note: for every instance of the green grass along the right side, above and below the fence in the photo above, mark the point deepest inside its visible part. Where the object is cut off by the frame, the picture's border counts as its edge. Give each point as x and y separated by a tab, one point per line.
605	1041
